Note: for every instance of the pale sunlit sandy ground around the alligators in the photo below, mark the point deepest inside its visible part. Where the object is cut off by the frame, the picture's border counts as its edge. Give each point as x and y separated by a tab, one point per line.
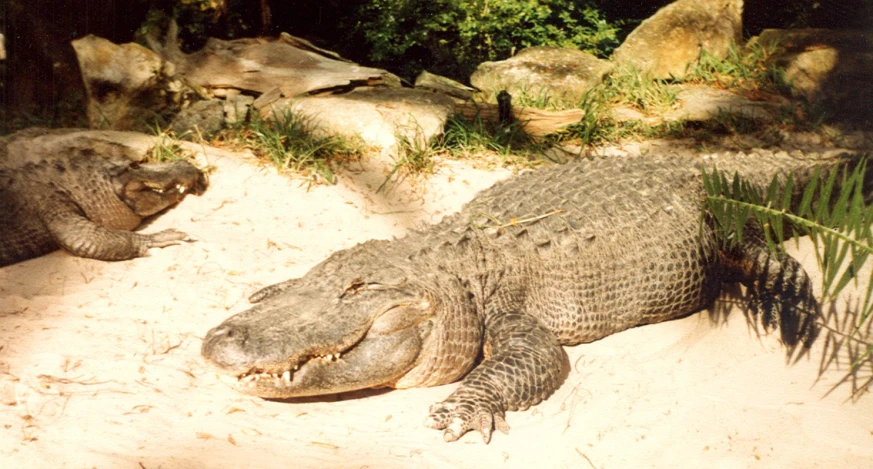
100	362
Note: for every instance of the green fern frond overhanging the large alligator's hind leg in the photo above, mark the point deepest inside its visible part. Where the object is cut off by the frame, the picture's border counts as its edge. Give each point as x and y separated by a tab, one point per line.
832	210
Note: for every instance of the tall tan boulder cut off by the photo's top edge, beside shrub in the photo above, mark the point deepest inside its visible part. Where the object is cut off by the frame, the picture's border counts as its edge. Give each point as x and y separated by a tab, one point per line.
666	44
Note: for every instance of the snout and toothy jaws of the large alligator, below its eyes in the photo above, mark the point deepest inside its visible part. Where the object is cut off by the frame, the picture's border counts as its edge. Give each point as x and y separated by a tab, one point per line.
271	352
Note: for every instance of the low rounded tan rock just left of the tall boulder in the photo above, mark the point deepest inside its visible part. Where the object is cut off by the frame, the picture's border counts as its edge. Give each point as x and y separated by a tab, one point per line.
563	75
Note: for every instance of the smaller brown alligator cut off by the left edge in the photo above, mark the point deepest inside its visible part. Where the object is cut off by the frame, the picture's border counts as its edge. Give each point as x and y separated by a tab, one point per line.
80	191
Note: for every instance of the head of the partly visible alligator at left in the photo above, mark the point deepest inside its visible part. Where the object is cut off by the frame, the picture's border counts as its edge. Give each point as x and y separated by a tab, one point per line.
148	188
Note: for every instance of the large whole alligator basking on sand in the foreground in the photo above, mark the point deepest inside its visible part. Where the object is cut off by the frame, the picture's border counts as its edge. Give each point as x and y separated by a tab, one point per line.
557	256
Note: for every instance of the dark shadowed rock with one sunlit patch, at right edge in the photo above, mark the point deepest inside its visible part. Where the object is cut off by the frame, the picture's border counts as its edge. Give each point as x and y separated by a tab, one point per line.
829	69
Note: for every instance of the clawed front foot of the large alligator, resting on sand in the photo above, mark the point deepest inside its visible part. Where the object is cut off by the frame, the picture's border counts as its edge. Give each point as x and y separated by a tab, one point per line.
457	419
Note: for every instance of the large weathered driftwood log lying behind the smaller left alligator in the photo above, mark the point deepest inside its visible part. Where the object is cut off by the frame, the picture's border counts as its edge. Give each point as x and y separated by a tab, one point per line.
131	87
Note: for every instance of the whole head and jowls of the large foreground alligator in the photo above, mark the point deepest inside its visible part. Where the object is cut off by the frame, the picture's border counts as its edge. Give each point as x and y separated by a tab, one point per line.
344	327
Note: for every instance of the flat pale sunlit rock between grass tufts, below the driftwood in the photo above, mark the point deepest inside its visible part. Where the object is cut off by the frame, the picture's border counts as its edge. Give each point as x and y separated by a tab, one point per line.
377	115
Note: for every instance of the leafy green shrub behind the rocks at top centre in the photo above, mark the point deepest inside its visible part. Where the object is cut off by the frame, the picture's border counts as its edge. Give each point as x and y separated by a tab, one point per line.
451	37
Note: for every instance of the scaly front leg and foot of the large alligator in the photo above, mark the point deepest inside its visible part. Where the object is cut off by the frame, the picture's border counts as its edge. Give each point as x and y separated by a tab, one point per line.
522	367
